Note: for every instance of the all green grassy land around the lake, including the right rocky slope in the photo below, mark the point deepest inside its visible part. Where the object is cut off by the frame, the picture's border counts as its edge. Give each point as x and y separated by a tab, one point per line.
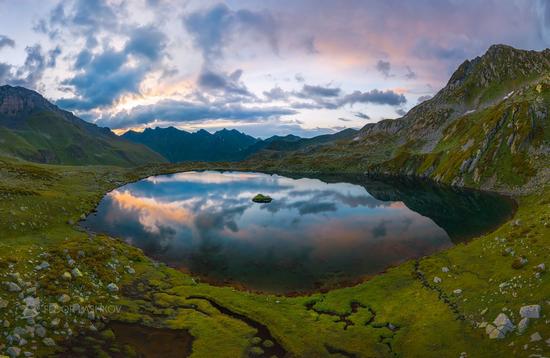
489	131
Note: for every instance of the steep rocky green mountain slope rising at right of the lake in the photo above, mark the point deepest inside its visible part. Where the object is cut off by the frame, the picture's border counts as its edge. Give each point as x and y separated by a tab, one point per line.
488	127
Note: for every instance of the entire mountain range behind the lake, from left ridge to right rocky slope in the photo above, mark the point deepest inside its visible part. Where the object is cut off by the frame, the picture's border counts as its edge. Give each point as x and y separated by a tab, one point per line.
488	128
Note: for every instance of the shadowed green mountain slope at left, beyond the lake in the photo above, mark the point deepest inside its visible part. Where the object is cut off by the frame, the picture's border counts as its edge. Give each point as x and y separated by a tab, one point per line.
34	129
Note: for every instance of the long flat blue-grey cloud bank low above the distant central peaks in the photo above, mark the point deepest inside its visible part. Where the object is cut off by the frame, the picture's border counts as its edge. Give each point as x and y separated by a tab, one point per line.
182	111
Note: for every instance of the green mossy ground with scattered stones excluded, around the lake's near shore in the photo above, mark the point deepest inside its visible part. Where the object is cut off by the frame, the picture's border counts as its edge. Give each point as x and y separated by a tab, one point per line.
398	313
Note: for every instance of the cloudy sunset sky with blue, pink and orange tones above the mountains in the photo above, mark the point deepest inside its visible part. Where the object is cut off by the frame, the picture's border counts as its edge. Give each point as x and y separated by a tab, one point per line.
271	67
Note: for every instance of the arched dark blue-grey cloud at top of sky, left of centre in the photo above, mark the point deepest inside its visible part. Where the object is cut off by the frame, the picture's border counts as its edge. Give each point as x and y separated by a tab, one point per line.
214	27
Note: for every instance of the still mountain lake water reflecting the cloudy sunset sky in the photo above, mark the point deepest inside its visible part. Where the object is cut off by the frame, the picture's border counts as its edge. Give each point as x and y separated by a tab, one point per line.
316	233
